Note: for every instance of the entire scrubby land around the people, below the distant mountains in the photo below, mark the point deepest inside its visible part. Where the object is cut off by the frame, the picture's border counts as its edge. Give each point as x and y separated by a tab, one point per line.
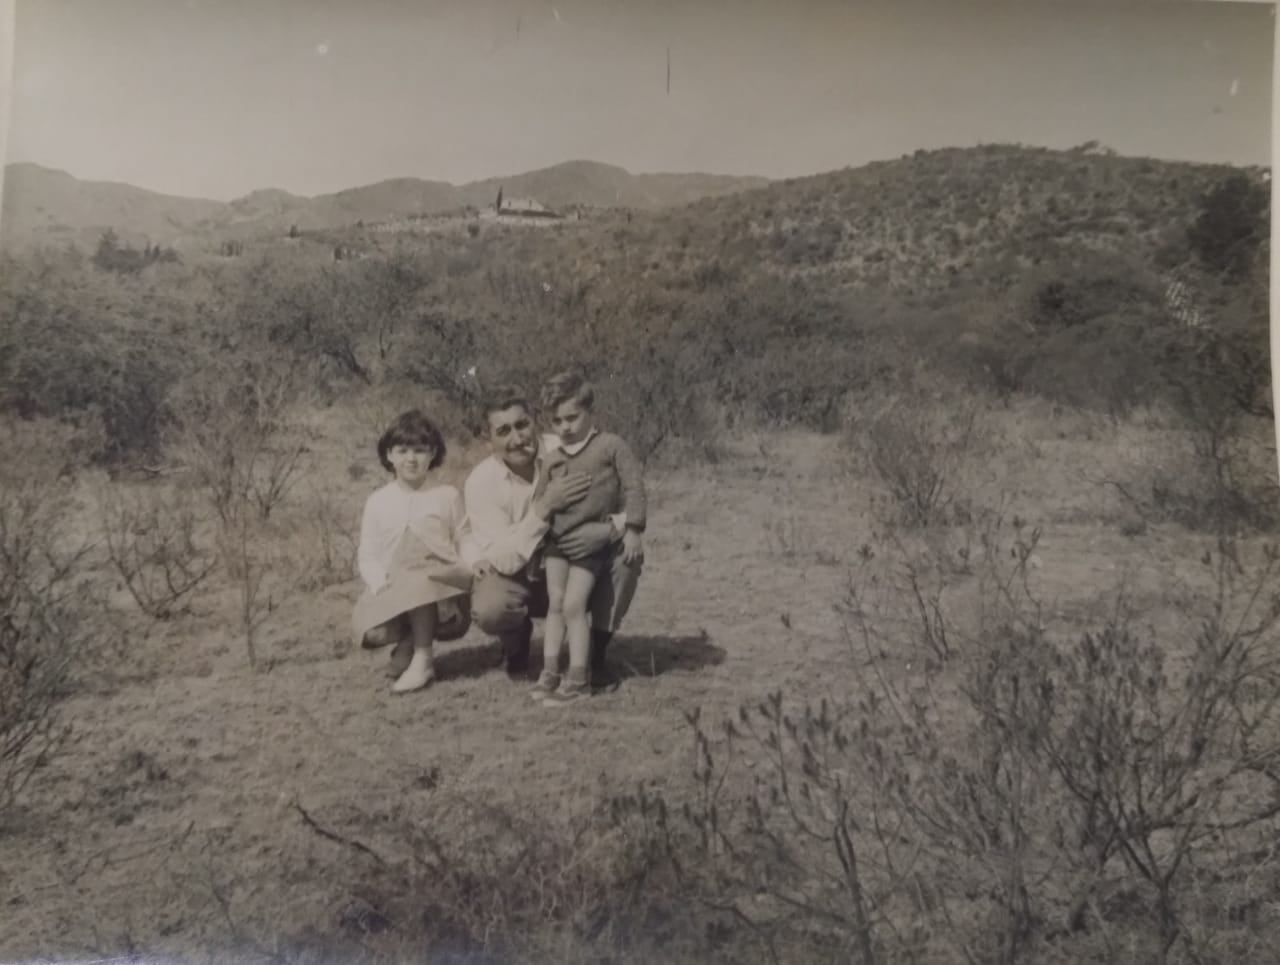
945	735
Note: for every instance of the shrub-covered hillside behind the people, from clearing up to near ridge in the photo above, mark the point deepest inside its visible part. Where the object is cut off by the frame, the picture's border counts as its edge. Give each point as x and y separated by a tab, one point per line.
1098	281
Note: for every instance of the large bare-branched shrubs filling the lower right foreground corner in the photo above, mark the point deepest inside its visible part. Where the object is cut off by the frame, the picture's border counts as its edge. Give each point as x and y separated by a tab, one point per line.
1040	793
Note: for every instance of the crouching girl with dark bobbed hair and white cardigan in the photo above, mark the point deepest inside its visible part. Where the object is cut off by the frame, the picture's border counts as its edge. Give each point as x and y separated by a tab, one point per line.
417	587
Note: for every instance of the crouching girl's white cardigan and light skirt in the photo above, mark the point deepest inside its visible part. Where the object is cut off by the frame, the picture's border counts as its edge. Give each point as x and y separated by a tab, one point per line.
410	556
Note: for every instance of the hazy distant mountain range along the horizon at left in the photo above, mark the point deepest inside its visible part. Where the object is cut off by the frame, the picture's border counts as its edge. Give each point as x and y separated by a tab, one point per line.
43	205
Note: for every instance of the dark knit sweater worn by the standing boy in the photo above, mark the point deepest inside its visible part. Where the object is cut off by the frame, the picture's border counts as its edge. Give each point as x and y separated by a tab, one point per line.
618	483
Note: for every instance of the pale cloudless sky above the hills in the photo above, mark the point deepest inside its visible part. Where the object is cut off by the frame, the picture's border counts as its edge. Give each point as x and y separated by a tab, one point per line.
220	98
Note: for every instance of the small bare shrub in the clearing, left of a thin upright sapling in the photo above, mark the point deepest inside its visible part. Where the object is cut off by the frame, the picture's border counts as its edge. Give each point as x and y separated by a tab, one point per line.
152	539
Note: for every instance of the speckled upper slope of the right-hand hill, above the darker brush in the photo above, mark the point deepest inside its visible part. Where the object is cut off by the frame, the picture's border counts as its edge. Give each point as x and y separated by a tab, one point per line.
930	221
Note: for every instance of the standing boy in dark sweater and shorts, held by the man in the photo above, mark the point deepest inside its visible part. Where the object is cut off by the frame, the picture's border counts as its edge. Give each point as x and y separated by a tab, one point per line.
618	488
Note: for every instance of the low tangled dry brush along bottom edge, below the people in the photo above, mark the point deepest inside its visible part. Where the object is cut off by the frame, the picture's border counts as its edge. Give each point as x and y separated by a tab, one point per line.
502	886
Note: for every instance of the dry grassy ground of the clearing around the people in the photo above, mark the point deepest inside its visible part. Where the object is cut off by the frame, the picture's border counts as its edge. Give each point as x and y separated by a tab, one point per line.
170	826
